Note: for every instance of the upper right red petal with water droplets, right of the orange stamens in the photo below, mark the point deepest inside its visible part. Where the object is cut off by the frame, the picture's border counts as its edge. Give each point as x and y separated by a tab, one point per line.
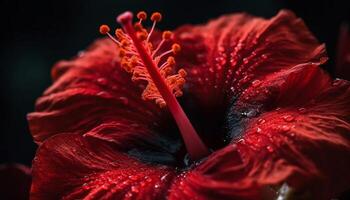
229	53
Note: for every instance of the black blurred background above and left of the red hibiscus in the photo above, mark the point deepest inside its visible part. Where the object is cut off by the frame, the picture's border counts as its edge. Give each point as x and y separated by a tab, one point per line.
36	34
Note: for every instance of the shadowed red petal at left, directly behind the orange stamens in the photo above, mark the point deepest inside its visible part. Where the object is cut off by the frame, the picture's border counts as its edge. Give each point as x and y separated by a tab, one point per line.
88	91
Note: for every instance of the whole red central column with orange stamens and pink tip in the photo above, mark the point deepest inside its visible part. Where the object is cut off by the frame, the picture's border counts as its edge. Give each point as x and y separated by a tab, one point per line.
149	64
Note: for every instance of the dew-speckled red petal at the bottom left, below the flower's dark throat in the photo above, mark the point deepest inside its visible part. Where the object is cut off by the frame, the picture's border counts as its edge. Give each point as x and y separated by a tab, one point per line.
70	166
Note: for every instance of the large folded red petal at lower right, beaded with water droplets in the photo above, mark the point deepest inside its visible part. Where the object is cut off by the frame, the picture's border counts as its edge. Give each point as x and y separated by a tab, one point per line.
296	133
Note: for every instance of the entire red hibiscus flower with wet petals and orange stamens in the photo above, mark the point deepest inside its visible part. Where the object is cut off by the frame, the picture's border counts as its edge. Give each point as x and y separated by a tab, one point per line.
276	124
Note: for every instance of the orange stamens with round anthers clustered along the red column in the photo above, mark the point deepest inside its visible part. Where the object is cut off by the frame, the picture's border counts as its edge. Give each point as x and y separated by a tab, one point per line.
132	62
